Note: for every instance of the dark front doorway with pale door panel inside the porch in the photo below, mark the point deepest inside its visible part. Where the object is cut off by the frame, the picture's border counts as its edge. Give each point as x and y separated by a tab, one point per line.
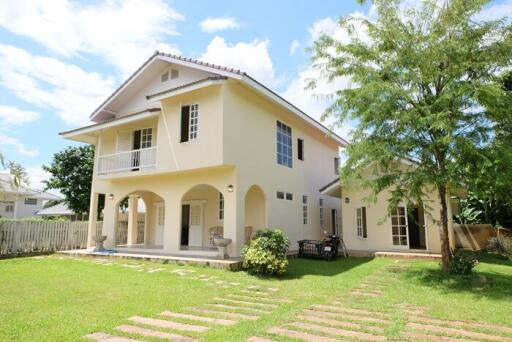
192	224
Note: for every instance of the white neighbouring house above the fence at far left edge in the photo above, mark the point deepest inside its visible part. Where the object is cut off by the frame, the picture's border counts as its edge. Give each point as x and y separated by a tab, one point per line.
20	202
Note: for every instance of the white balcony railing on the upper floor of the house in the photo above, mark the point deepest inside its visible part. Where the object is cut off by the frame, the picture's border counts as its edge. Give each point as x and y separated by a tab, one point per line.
136	160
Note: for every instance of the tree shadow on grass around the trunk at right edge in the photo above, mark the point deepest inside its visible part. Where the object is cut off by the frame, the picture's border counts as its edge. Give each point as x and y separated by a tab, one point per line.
487	281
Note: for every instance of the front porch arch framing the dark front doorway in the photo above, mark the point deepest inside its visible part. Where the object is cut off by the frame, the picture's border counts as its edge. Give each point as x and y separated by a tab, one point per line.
202	217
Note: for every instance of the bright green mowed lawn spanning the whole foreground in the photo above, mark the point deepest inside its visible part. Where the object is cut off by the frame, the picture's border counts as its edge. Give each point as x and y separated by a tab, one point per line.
52	299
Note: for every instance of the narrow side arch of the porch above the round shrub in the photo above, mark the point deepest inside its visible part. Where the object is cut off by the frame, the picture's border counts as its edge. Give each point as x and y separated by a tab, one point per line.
255	211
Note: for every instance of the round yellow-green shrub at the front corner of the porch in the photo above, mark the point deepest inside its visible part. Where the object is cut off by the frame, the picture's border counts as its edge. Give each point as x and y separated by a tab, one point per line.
265	254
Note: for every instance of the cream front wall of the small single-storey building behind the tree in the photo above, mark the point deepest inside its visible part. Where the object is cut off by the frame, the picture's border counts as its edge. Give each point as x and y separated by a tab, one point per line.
379	223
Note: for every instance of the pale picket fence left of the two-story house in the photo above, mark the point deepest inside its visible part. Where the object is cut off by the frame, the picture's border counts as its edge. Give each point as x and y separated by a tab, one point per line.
26	237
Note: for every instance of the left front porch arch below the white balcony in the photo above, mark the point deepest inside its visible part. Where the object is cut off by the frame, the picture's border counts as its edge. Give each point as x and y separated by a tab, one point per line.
140	217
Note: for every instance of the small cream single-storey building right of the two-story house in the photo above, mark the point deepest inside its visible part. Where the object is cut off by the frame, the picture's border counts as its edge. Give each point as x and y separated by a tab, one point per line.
368	227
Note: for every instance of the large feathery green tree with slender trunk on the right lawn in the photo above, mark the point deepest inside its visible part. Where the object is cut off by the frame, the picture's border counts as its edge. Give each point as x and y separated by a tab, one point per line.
425	89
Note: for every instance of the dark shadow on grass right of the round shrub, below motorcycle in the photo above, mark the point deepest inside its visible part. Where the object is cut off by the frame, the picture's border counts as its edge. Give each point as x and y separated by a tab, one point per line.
299	268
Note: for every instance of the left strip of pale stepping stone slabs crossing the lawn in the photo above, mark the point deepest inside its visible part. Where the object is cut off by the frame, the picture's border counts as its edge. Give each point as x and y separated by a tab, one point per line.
242	305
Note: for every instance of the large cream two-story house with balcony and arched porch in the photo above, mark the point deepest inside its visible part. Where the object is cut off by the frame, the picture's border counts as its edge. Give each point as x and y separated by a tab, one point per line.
208	150
